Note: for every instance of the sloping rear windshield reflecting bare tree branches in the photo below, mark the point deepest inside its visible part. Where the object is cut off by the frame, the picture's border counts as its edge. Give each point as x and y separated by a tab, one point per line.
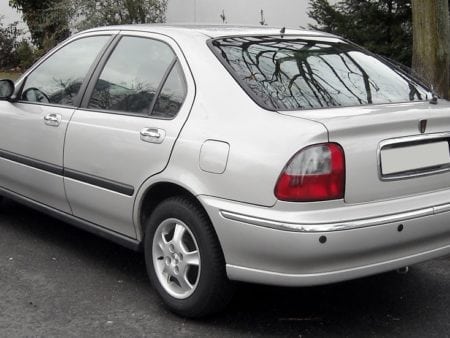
297	73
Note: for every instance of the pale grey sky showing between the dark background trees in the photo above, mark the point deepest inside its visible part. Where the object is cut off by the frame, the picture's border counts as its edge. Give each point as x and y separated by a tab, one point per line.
281	13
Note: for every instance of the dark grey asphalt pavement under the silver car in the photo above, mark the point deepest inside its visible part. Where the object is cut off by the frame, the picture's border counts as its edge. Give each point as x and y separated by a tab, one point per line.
56	280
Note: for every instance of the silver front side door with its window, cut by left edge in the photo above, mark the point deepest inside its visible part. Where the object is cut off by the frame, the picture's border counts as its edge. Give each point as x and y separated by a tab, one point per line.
32	130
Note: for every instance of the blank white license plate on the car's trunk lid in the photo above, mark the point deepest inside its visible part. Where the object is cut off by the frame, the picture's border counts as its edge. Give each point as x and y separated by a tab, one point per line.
397	160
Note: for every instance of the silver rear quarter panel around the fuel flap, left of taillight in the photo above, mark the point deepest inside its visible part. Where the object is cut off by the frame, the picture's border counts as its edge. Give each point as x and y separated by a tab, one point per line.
261	142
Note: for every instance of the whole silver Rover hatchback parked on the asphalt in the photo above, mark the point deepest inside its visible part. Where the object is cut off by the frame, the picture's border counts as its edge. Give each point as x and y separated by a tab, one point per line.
284	157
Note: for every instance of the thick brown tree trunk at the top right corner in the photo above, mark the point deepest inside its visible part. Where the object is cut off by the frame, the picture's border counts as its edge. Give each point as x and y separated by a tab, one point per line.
431	43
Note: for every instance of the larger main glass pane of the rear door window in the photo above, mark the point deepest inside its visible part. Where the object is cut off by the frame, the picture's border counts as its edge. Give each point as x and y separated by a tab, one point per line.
132	76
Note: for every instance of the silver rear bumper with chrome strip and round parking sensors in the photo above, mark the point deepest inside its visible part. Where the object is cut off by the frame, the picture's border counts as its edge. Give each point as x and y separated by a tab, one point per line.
263	245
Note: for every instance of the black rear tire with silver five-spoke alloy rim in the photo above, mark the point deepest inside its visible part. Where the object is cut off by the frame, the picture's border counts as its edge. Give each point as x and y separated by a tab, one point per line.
184	260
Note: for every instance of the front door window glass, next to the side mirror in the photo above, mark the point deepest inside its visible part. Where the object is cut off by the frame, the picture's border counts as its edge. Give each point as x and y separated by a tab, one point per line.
58	79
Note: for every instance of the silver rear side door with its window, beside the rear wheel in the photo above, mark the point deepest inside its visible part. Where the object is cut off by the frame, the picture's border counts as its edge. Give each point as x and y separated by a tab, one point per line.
136	105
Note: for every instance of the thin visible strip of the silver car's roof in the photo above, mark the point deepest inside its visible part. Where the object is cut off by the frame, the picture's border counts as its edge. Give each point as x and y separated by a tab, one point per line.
214	31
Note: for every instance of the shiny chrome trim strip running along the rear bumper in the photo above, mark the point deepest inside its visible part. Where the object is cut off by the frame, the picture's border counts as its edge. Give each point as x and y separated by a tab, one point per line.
335	226
